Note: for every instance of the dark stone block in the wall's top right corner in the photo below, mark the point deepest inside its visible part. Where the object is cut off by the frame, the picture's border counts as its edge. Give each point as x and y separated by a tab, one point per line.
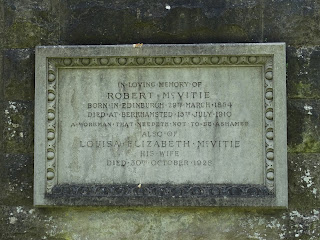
295	22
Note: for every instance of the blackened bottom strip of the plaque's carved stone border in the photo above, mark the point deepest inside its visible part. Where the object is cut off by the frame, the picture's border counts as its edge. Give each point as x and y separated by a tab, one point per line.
159	190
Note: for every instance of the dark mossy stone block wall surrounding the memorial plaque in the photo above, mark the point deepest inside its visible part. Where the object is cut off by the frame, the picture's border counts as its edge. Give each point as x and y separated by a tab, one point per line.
25	24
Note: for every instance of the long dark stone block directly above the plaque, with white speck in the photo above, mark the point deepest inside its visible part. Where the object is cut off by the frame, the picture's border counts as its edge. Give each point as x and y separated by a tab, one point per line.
160	22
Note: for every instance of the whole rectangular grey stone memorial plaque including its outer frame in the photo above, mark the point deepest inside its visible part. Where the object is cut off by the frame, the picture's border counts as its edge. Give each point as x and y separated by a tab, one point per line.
161	125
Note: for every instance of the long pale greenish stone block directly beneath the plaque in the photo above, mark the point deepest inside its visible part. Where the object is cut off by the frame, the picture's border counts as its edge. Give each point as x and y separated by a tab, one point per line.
182	223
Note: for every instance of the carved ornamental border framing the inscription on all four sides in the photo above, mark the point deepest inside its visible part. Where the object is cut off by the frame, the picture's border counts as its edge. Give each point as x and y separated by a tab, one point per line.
266	62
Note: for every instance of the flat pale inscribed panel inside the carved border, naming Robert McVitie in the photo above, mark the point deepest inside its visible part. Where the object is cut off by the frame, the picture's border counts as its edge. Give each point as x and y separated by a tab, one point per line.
161	125
